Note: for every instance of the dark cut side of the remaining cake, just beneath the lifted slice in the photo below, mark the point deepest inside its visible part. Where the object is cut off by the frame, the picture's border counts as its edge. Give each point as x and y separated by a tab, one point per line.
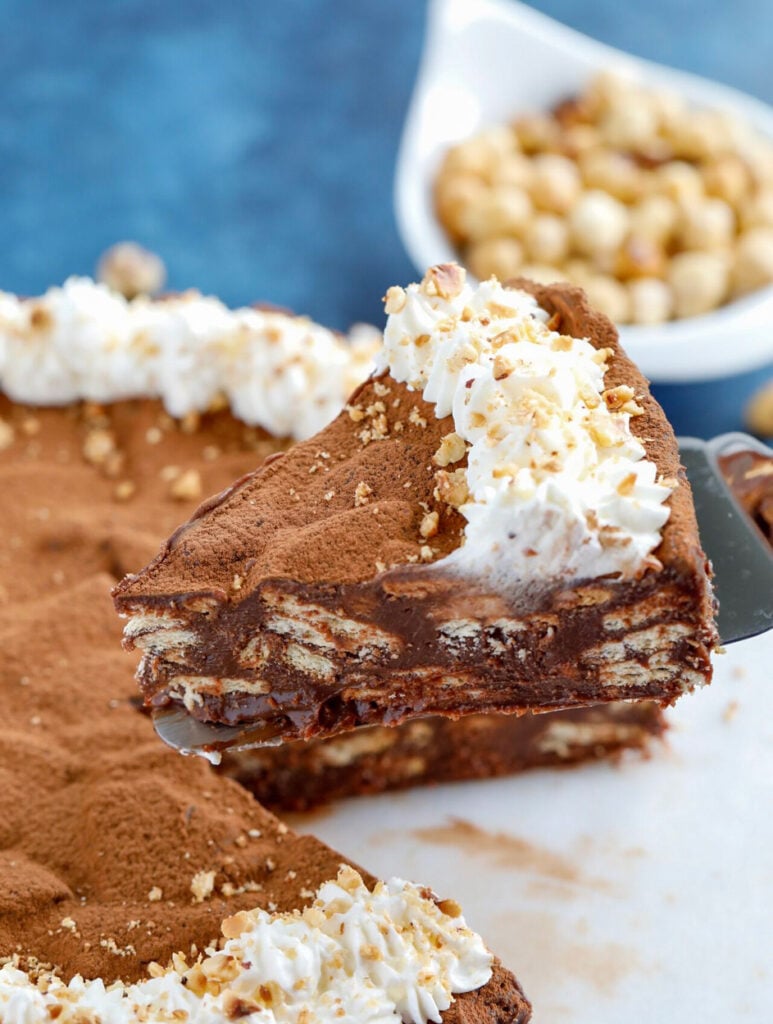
303	776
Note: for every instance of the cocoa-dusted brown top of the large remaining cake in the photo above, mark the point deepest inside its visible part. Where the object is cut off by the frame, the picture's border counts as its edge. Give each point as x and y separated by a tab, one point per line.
103	830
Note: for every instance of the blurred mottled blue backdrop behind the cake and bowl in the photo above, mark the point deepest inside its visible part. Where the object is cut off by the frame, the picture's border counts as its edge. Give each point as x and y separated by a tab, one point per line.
252	143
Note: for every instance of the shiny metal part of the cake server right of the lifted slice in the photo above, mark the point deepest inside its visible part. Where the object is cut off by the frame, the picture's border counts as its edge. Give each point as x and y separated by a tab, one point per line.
742	558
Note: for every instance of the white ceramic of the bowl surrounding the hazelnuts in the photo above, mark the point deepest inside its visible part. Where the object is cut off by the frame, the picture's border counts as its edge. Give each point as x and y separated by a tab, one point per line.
488	61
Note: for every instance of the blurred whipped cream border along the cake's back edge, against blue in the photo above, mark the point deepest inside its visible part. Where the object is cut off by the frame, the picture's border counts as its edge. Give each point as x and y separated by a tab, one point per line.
283	373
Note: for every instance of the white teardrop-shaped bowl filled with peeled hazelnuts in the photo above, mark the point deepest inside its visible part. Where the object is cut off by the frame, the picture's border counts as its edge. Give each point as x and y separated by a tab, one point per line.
533	151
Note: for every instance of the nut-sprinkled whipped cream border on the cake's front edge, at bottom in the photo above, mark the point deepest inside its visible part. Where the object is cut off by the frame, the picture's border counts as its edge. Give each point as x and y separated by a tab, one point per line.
355	956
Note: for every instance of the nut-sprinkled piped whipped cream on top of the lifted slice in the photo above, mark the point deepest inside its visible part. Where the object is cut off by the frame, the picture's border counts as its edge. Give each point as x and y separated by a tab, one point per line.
556	485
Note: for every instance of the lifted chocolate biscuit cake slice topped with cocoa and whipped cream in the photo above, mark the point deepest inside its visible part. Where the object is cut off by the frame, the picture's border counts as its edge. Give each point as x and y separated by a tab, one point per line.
498	522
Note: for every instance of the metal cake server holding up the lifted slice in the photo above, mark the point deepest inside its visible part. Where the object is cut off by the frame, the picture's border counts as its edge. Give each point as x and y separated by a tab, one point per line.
744	583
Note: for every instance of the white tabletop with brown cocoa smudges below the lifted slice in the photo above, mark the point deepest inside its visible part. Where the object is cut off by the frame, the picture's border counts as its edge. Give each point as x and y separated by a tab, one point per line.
637	892
